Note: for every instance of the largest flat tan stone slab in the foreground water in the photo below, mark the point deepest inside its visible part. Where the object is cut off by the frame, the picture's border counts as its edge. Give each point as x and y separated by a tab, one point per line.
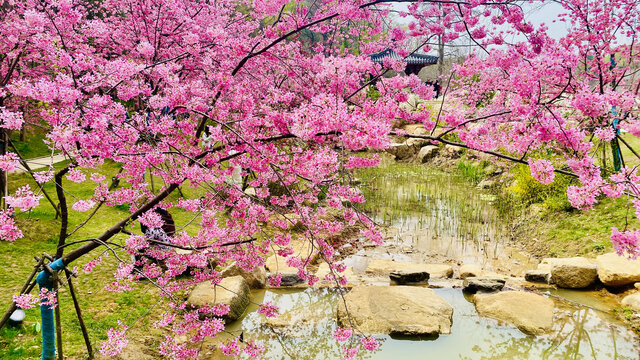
402	310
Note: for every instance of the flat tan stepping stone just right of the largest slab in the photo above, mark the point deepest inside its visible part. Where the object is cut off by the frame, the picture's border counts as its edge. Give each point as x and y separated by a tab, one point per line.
529	312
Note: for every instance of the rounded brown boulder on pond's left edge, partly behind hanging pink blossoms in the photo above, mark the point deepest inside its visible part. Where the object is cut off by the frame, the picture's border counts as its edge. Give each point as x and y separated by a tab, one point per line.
233	291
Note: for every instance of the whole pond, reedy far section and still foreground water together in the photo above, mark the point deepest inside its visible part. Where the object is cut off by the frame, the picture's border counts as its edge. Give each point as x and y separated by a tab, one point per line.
433	215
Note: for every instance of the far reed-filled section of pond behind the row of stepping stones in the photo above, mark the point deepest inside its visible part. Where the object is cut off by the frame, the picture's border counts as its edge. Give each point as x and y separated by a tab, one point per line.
439	214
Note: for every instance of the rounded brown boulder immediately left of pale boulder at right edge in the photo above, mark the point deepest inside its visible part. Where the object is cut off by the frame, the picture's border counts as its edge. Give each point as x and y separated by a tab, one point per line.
573	273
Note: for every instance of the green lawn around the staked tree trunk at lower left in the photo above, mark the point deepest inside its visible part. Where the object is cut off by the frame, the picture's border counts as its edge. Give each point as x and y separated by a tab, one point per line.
101	309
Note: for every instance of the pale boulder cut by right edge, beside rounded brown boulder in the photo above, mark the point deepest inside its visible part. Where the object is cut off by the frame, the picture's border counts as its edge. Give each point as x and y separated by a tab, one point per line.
615	270
